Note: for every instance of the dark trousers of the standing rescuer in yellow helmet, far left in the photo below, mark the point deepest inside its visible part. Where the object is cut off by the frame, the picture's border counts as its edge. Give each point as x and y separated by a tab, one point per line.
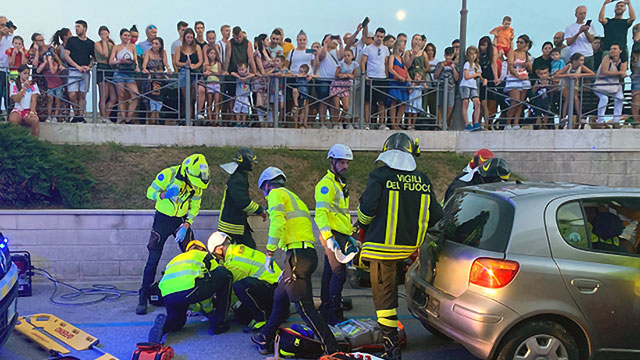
163	227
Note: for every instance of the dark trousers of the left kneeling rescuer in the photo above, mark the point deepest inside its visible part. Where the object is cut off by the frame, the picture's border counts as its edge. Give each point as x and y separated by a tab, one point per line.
177	304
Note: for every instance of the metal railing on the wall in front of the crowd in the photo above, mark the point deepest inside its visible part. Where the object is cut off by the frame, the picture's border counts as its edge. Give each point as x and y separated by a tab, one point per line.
191	98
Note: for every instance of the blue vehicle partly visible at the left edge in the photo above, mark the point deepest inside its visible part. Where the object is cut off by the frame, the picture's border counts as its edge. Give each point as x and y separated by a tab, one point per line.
8	291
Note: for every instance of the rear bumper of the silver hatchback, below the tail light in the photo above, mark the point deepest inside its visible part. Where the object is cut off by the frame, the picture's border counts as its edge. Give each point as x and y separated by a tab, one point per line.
473	320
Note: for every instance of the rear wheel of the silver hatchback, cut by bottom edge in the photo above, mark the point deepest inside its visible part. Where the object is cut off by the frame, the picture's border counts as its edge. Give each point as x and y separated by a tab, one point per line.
539	336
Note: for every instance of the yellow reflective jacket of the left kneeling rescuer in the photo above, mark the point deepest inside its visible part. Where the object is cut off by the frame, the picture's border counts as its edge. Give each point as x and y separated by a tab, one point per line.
183	270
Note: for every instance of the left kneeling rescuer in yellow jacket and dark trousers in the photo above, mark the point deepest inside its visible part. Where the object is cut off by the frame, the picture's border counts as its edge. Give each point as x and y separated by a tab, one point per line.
193	277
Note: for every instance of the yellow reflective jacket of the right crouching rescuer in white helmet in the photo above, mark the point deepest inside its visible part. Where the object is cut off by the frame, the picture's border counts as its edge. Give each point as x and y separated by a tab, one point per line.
245	262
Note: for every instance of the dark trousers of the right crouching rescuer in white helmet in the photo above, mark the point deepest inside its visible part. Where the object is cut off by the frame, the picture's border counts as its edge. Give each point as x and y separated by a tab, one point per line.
256	296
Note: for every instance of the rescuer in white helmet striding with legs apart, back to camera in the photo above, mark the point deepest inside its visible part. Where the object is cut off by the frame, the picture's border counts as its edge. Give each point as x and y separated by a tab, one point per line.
291	230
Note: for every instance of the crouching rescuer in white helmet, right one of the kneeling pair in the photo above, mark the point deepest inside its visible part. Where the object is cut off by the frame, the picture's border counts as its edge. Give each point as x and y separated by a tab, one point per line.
253	285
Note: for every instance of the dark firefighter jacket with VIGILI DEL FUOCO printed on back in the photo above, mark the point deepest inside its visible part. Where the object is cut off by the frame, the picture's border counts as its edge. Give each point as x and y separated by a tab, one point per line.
396	207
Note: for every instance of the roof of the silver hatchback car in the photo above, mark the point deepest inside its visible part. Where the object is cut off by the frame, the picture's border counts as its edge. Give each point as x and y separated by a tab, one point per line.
549	190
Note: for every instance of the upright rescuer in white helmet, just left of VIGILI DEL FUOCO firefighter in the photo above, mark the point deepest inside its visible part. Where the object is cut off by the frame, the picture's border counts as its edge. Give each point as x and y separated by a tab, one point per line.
333	220
